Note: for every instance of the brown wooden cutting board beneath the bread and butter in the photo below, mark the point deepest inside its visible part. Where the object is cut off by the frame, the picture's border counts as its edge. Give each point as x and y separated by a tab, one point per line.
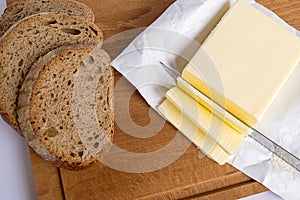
187	177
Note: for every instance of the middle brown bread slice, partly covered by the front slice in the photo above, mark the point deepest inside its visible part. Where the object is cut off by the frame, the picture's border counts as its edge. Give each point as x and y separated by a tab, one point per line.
31	38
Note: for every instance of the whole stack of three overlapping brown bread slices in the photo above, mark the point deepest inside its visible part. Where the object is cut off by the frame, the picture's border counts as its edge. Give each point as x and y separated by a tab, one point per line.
56	84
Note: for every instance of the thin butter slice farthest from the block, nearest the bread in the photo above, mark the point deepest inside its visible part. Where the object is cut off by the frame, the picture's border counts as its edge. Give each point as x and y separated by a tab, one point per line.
193	133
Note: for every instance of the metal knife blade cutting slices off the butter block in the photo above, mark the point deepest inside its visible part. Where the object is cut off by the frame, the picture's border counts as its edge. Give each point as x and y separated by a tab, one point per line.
263	140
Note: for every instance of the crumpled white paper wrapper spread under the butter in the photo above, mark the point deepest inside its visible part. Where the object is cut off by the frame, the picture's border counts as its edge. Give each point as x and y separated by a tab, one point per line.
173	39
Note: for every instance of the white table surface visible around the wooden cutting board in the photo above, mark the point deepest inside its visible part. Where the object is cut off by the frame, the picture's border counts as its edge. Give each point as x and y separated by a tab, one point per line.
16	177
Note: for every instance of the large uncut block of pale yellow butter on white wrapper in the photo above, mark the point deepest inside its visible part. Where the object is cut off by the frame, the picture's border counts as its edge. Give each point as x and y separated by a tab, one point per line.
253	55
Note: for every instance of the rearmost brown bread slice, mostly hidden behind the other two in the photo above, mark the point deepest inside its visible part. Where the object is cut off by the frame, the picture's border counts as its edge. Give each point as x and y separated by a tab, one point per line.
21	9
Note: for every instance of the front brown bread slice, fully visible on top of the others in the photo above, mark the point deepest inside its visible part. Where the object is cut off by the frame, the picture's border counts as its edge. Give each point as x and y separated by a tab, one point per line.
66	103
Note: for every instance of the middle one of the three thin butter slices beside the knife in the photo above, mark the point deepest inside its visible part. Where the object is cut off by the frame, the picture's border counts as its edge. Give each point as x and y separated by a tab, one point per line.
224	135
